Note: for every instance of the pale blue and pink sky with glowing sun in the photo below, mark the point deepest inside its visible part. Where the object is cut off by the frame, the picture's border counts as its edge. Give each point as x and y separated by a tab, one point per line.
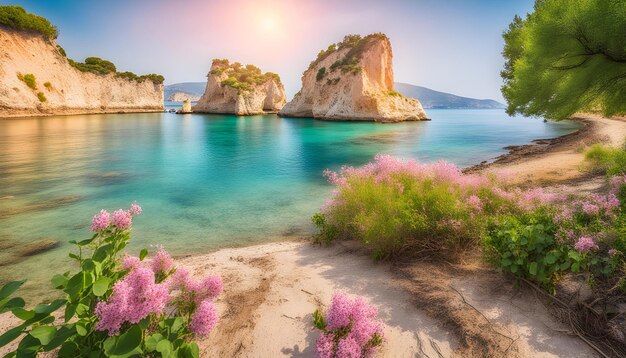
451	46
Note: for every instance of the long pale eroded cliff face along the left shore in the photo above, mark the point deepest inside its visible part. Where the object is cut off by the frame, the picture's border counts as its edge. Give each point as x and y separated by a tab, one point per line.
61	88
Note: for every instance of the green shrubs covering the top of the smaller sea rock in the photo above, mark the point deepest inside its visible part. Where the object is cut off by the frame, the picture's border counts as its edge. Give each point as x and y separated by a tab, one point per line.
242	78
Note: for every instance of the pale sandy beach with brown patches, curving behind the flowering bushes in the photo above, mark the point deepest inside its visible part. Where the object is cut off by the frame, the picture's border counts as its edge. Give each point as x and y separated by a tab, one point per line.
429	309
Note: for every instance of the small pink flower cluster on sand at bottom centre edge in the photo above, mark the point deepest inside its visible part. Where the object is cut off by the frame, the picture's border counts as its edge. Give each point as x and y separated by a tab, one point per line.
349	329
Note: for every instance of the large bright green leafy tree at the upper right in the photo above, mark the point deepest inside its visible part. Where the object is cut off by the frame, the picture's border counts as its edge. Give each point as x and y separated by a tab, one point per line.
567	56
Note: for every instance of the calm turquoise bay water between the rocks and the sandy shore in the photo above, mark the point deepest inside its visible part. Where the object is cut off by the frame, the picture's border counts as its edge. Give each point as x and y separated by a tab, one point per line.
208	181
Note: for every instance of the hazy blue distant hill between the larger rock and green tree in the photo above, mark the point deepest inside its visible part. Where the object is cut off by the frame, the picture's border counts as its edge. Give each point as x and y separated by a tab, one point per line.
435	99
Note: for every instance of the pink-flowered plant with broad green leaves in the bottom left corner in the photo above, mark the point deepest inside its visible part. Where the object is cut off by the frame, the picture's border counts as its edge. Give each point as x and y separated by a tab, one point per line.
117	305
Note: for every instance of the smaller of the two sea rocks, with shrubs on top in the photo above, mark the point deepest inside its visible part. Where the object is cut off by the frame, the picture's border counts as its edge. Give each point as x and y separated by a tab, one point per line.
241	90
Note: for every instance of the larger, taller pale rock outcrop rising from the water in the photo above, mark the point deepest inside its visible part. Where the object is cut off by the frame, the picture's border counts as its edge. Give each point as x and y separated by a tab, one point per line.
353	80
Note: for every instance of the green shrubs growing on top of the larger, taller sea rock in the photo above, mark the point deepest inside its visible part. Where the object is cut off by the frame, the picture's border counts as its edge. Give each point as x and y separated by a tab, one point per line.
350	62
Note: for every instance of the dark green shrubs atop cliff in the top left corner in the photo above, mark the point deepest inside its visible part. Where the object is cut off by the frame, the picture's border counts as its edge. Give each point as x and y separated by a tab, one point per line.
15	17
